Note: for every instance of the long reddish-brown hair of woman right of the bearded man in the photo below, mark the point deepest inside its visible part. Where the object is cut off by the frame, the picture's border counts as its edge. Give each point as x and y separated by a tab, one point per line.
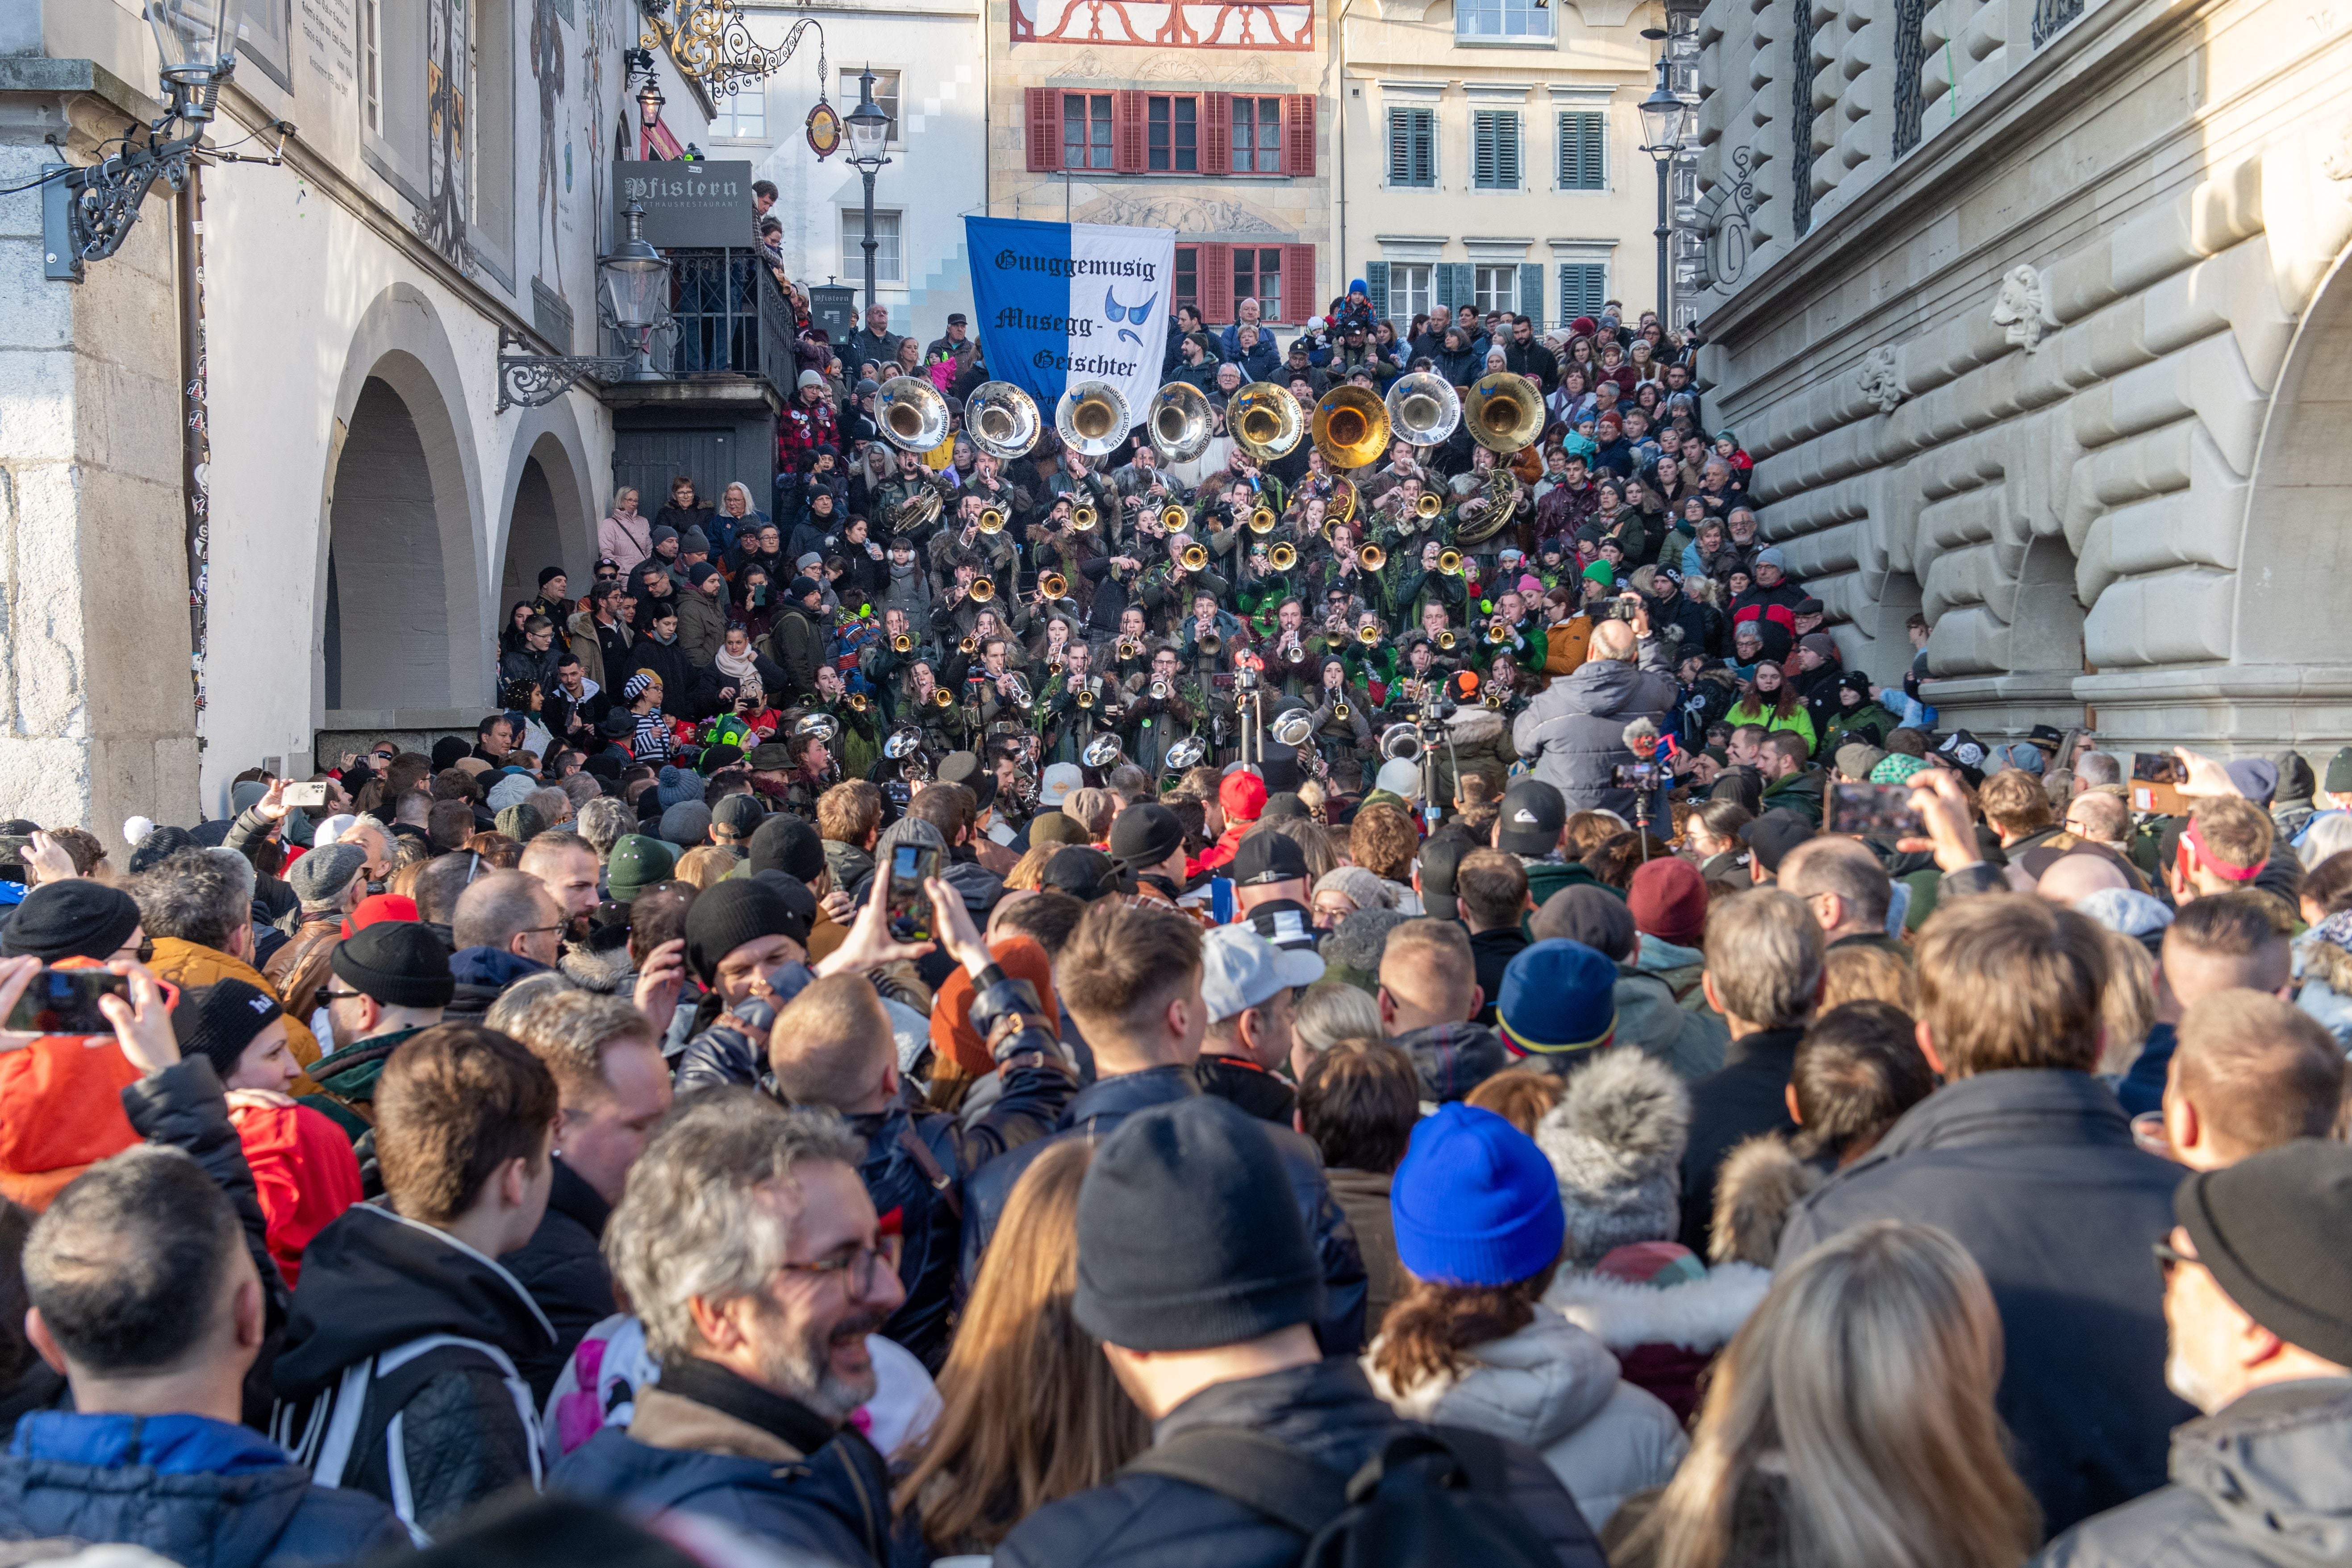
1031	1412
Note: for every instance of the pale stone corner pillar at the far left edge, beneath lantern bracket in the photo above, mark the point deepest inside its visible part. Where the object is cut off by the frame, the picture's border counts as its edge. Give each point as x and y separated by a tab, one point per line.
95	704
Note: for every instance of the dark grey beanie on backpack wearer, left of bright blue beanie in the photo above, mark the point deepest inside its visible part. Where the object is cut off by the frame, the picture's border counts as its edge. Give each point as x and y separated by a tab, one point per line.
1189	1235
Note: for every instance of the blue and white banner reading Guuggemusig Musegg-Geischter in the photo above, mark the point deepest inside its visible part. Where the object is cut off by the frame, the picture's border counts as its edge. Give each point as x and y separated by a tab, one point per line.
1071	302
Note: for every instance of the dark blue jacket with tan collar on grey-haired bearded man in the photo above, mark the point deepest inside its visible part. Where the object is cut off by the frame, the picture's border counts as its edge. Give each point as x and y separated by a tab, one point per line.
707	1442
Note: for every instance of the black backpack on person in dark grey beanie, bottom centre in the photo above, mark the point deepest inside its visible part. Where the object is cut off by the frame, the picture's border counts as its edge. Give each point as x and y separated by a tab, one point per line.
1431	1496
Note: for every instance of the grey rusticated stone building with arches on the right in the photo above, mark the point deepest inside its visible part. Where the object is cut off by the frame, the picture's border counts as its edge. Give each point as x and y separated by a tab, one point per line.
2033	319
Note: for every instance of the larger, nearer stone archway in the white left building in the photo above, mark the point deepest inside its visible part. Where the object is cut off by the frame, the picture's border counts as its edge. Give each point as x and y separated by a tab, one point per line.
401	610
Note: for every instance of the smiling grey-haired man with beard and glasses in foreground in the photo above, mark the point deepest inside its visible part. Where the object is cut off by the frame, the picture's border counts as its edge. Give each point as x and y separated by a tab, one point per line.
763	1358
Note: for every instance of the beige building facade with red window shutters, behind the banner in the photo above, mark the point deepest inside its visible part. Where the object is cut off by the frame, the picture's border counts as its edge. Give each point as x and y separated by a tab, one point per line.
1198	116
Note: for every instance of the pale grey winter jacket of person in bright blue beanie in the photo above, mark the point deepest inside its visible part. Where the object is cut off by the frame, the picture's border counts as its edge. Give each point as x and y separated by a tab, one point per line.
1556	1391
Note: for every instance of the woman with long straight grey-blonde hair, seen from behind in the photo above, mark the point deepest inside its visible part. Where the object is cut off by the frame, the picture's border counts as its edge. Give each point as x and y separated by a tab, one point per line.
1850	1426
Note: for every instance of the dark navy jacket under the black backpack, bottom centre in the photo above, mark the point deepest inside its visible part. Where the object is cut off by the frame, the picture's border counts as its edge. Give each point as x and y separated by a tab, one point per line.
1328	1414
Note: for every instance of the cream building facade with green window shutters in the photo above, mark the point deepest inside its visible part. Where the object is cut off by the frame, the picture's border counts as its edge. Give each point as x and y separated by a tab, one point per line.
1492	156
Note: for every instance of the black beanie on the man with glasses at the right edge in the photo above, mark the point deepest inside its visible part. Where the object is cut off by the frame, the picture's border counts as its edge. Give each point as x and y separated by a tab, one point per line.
2261	1231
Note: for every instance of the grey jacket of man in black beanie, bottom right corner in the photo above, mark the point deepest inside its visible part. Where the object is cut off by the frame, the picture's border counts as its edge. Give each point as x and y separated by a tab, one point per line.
2257	1485
